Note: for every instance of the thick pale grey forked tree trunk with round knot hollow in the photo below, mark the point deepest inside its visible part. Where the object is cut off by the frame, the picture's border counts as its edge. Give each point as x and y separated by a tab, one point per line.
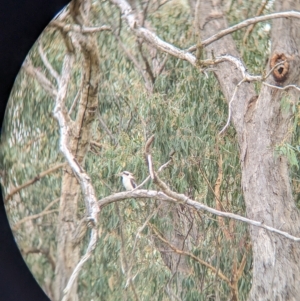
261	124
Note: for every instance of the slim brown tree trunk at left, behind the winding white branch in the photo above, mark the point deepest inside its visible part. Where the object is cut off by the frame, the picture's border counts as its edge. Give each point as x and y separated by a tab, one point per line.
79	136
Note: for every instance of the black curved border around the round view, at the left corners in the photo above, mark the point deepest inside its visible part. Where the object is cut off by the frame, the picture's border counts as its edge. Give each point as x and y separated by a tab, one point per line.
21	22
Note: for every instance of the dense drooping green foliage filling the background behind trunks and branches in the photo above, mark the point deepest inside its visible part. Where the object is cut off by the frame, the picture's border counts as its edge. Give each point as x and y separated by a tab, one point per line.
185	112
